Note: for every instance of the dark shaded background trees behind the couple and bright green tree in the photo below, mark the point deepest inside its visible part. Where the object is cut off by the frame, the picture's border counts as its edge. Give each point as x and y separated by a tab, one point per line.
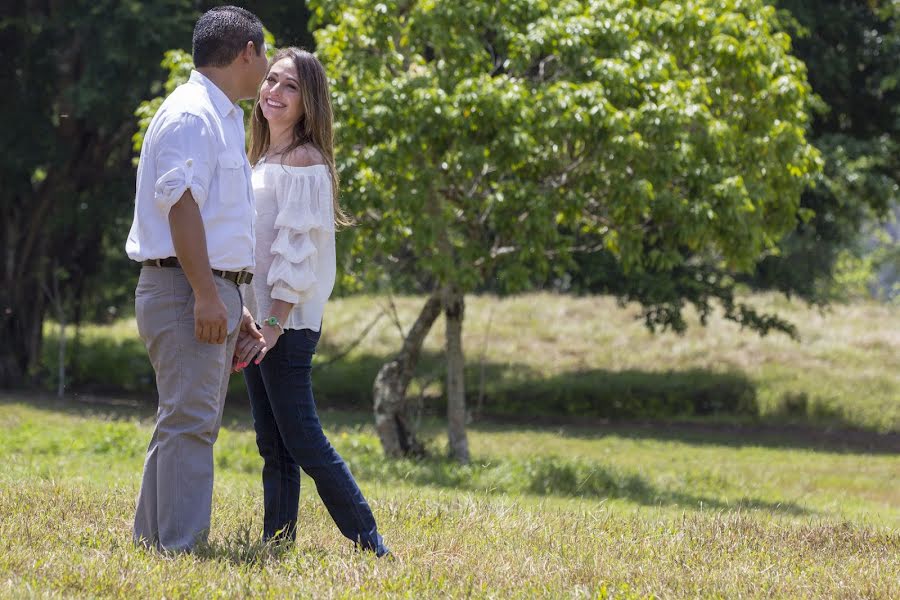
76	72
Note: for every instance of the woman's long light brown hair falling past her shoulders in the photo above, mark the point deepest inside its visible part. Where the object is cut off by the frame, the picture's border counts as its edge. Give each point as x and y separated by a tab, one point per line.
315	127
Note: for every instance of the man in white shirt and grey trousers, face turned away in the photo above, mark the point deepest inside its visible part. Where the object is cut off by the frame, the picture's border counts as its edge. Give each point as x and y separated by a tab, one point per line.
193	234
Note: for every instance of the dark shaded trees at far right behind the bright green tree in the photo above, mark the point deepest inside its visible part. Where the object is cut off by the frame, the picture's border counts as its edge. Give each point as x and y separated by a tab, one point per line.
852	52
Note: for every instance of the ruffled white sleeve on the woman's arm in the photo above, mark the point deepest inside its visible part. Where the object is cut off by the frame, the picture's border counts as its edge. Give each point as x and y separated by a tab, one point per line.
304	209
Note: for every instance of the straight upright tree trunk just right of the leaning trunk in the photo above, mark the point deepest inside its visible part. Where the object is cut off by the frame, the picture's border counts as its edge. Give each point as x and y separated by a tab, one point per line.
454	311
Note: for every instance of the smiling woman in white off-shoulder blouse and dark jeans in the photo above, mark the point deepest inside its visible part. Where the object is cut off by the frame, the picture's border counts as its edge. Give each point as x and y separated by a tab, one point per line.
296	189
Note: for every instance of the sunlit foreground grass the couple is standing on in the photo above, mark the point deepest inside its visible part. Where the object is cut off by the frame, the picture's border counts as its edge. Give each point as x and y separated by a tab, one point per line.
553	512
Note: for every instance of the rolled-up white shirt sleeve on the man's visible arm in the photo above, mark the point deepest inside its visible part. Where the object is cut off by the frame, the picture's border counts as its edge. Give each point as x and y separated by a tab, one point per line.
184	161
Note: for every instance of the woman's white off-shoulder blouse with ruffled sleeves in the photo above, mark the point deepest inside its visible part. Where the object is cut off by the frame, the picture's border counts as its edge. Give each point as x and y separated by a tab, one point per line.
295	253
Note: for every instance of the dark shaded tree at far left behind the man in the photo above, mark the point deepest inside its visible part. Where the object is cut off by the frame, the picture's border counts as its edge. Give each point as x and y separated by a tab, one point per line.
70	84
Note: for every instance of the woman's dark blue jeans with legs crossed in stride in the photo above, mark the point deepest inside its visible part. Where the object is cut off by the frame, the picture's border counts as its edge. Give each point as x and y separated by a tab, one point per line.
290	437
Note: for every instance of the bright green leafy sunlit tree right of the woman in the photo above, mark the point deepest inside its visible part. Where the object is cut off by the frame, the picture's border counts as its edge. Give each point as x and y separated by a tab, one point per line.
477	141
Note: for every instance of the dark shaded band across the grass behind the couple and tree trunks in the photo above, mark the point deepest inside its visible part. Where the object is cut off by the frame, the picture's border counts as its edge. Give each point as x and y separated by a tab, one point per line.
516	393
